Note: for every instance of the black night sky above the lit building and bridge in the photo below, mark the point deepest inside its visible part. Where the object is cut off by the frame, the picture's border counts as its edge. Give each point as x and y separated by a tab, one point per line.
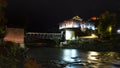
44	15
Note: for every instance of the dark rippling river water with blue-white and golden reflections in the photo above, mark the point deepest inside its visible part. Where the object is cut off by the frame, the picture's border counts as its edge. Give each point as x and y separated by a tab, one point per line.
77	58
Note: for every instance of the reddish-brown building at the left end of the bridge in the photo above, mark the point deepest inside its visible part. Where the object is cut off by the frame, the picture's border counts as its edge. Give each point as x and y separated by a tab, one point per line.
15	35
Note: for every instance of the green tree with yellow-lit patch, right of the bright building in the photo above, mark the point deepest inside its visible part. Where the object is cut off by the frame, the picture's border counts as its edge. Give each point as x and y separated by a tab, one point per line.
106	21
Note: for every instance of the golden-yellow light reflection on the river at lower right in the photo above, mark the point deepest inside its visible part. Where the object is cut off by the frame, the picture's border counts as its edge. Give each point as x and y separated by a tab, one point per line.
103	56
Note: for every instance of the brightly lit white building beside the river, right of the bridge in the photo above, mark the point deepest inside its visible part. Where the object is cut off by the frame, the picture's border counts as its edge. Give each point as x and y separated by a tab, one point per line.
74	28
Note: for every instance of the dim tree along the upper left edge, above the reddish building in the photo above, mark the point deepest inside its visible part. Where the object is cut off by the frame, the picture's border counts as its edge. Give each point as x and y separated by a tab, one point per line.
3	4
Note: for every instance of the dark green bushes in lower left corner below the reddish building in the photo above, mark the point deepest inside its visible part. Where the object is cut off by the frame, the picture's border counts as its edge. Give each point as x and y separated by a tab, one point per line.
9	55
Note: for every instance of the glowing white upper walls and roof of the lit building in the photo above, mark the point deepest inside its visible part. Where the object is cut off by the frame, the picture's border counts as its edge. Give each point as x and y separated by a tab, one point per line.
76	24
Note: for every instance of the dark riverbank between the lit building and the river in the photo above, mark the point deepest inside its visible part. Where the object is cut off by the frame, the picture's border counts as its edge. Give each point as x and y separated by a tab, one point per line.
97	45
